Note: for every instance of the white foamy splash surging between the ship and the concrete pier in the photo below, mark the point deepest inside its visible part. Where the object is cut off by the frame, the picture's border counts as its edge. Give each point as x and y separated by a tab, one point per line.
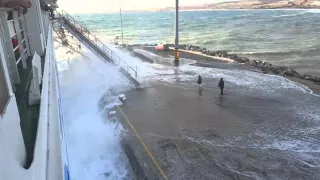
93	142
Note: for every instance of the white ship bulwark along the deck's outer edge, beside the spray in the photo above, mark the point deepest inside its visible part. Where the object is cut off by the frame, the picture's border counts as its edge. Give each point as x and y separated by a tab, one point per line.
51	158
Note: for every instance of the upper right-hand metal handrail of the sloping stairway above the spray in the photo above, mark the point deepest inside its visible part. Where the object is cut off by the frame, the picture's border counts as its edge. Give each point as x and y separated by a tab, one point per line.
85	32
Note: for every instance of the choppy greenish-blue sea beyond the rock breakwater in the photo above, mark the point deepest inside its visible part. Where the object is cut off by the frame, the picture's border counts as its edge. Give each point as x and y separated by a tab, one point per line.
285	37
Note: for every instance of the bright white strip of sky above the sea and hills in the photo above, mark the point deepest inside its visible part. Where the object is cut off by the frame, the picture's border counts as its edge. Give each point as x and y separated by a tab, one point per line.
99	6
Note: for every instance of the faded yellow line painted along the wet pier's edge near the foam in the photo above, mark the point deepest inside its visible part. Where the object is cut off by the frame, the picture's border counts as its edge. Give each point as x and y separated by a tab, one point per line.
144	145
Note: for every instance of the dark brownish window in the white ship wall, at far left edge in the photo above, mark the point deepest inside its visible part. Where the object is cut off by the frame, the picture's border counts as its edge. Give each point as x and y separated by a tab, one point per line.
4	92
